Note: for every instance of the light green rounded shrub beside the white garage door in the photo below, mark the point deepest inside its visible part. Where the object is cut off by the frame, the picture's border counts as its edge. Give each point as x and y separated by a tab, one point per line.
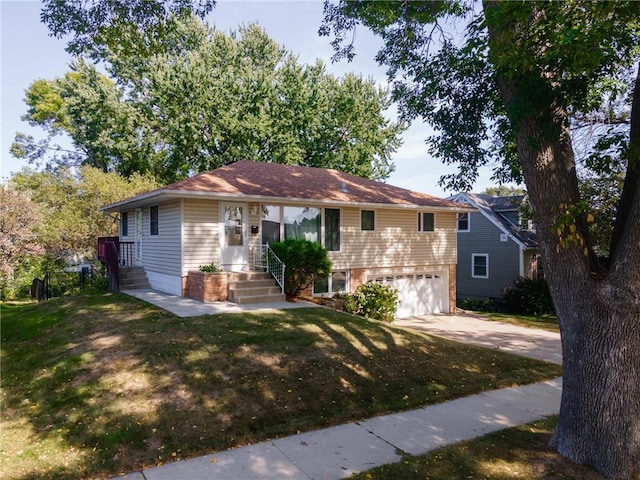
373	300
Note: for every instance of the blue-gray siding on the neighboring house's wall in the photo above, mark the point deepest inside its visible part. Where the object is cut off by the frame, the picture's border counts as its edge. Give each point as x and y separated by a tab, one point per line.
504	259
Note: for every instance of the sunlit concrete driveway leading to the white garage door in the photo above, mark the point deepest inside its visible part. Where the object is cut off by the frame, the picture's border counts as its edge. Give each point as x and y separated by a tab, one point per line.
468	328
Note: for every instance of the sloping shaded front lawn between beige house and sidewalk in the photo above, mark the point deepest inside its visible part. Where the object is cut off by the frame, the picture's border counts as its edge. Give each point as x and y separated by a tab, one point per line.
106	384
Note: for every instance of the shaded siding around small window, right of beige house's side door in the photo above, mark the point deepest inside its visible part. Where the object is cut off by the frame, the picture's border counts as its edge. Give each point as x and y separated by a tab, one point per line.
161	253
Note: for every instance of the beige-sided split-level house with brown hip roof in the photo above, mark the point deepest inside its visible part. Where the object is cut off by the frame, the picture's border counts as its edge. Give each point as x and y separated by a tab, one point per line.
372	231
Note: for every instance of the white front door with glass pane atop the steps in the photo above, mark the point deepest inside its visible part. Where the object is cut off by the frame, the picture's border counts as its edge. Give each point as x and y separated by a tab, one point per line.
233	236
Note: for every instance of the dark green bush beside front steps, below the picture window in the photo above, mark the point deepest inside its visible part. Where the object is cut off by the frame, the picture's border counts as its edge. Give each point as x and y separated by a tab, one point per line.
303	261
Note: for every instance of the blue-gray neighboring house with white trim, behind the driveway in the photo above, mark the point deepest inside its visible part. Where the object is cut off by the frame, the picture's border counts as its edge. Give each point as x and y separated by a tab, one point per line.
495	246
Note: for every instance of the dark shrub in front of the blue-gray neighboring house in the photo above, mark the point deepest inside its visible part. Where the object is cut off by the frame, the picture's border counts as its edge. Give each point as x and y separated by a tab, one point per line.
528	297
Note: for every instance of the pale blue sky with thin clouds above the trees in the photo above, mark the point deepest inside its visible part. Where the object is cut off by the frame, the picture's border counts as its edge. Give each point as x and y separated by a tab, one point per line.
28	53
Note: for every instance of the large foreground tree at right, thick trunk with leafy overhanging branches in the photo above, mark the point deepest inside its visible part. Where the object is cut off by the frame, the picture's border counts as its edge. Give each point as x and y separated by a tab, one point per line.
507	92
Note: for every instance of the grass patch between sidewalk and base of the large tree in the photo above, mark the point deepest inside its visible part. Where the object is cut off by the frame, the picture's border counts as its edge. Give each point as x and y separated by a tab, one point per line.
519	453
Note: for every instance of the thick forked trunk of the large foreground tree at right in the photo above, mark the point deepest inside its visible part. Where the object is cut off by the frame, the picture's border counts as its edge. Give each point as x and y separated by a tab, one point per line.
598	308
